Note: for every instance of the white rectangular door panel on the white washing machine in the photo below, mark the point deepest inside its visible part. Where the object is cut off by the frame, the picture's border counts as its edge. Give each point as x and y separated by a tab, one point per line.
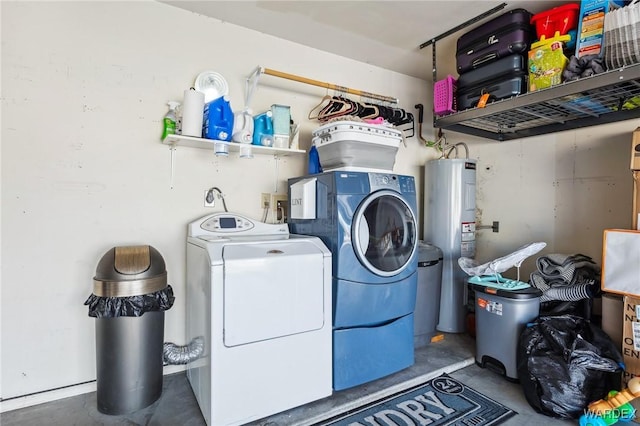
272	290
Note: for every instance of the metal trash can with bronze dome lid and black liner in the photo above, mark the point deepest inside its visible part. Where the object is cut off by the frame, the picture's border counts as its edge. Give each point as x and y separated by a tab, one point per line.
130	295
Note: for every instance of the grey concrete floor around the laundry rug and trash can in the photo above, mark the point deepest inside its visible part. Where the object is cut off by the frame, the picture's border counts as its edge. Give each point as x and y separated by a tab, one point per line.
177	405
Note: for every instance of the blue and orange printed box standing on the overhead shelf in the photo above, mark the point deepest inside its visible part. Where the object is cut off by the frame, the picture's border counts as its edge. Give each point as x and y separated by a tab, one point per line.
589	40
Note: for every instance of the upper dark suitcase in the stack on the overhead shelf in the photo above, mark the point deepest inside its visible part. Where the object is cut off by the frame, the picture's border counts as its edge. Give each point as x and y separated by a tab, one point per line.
509	33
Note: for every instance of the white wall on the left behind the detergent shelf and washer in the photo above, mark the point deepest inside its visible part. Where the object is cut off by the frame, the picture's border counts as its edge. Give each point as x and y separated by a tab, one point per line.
91	173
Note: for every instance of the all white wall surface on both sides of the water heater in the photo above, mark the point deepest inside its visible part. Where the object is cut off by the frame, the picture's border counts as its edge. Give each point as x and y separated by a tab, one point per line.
84	89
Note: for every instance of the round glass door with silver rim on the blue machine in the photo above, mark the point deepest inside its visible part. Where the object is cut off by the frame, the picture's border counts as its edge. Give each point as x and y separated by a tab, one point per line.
384	233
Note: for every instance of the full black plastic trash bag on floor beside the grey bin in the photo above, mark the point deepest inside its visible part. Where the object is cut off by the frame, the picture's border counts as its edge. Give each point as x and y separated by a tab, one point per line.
564	362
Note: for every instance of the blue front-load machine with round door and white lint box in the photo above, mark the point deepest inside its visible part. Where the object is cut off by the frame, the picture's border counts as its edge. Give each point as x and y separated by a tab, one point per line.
368	221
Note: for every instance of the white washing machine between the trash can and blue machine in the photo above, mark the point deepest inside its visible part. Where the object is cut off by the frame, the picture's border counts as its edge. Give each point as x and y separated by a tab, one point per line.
261	301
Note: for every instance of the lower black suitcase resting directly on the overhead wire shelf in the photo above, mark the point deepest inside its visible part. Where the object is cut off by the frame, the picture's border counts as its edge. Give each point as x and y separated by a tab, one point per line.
501	79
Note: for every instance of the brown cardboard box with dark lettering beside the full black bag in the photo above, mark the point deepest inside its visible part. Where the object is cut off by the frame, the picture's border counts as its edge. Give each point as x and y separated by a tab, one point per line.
631	343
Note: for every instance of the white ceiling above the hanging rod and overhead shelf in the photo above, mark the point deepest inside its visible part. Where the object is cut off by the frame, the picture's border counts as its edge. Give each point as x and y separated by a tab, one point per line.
382	33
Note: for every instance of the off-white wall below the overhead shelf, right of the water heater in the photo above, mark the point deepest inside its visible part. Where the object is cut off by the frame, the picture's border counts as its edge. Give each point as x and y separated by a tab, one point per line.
563	189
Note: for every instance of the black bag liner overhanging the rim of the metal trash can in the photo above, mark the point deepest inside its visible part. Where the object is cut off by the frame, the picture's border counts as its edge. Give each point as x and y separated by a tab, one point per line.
131	306
